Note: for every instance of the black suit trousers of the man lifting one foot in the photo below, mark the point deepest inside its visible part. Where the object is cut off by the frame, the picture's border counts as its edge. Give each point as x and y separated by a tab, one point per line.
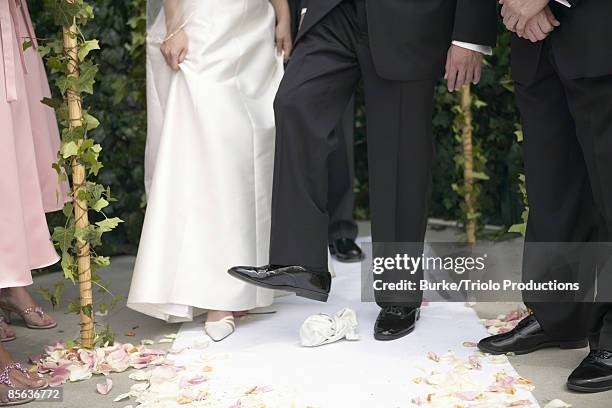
324	71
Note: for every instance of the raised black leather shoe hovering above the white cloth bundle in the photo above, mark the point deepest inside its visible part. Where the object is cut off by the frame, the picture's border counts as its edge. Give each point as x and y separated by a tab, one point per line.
304	282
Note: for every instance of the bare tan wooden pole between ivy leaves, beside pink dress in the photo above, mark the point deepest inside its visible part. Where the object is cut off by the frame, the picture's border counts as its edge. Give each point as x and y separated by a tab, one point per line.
78	183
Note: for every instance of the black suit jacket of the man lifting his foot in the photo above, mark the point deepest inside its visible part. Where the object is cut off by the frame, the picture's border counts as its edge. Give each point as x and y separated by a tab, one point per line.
409	39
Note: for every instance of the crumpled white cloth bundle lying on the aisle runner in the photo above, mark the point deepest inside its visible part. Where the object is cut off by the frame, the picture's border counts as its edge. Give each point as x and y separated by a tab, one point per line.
321	329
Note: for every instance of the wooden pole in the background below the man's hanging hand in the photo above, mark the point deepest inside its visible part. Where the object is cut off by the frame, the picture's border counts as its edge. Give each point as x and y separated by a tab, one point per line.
468	166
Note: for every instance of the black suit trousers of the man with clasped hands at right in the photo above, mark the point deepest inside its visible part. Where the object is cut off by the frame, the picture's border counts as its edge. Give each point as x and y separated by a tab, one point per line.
567	126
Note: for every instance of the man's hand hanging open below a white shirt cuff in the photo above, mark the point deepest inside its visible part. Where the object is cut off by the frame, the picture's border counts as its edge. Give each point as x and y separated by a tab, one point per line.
462	67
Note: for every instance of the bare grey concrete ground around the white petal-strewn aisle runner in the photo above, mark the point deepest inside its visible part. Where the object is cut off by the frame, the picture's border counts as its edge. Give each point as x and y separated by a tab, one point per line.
548	369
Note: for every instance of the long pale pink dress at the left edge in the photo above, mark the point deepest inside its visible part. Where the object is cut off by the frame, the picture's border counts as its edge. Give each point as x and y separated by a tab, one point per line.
29	140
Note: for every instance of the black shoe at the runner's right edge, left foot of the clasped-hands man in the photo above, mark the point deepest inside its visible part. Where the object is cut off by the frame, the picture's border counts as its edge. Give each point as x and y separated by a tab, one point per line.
526	337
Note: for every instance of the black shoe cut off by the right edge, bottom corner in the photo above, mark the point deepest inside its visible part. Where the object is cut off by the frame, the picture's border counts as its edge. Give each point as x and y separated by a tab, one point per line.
594	374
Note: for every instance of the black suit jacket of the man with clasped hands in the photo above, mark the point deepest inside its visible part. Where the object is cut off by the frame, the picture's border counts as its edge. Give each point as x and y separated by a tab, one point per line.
581	44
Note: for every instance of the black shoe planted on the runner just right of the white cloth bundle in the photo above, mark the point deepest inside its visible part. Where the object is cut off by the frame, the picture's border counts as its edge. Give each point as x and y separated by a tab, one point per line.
394	322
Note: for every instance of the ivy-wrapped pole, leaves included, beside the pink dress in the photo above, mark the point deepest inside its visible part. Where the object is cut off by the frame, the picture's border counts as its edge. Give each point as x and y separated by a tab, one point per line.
68	56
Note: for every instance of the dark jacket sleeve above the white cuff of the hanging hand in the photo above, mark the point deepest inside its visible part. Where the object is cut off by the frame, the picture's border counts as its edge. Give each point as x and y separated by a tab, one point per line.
476	22
